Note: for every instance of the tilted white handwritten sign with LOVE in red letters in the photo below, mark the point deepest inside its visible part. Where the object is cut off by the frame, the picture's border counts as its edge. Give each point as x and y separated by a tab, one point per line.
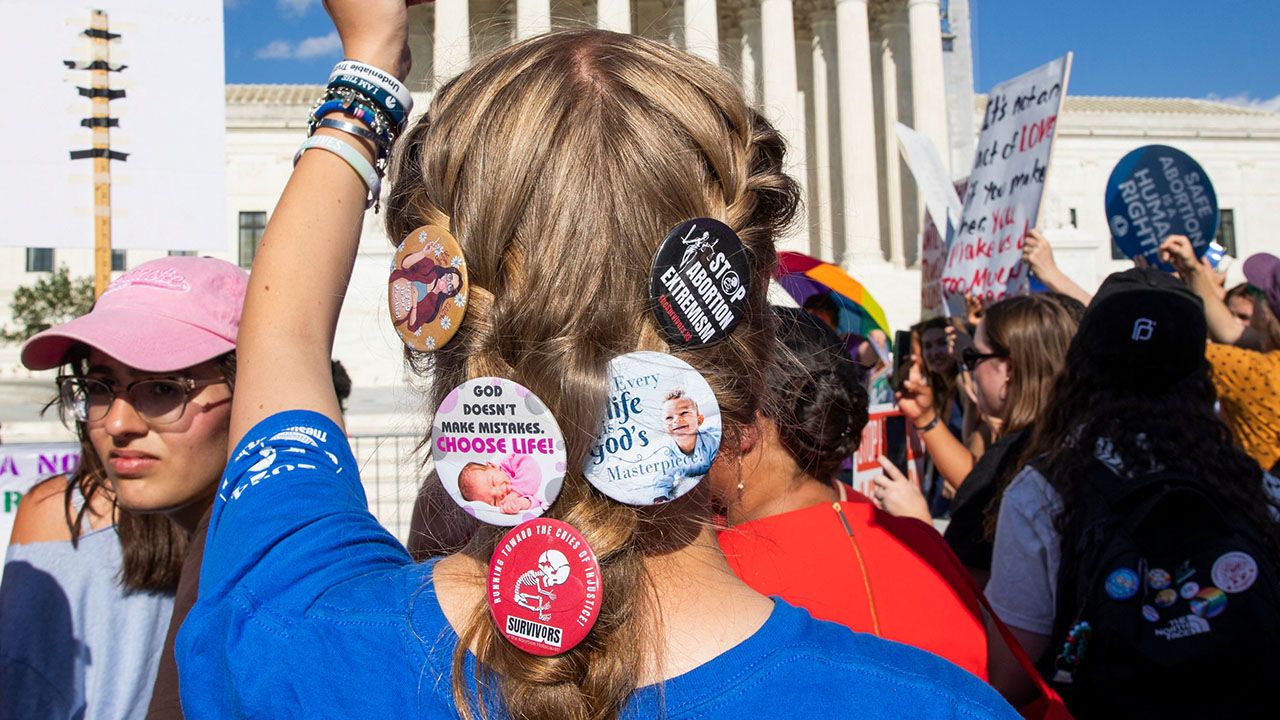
1005	188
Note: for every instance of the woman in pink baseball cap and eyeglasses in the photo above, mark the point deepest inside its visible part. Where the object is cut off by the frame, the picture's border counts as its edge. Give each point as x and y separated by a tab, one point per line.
97	558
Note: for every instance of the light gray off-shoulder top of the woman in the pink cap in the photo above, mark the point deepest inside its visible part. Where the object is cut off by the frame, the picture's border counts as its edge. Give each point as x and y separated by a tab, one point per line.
74	644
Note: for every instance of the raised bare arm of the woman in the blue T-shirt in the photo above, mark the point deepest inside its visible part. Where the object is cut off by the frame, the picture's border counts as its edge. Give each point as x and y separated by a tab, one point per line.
301	272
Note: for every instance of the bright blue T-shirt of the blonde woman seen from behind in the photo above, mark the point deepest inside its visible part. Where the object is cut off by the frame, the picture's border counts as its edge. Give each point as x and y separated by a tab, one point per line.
310	609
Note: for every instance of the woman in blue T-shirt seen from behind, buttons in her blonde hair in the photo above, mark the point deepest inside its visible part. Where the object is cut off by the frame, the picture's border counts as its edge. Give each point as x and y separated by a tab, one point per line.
559	165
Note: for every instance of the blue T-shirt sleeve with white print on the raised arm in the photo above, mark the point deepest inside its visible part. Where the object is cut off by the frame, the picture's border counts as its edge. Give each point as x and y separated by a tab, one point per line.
291	521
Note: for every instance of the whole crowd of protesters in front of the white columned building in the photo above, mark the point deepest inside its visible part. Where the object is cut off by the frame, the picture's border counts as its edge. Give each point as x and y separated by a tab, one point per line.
1099	464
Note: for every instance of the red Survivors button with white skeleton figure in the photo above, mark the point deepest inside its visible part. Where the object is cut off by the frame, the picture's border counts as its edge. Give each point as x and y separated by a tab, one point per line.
545	587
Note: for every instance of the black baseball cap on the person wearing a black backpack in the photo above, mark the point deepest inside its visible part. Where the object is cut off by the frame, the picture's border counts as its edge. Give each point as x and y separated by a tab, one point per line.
1148	329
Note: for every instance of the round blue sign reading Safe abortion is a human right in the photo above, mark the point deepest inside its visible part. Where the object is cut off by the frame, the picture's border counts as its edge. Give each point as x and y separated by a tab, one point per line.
1154	193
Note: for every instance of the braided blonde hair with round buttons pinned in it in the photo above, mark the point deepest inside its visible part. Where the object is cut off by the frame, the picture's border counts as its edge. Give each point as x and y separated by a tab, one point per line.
560	165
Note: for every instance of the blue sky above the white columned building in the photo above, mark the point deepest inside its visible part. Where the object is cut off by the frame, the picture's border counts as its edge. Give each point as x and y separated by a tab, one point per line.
1148	48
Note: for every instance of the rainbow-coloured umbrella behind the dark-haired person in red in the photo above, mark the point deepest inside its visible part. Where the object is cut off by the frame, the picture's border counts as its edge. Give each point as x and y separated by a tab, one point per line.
803	277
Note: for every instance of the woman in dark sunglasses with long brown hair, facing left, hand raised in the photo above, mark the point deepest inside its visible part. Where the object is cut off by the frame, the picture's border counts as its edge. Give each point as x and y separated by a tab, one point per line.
1017	353
